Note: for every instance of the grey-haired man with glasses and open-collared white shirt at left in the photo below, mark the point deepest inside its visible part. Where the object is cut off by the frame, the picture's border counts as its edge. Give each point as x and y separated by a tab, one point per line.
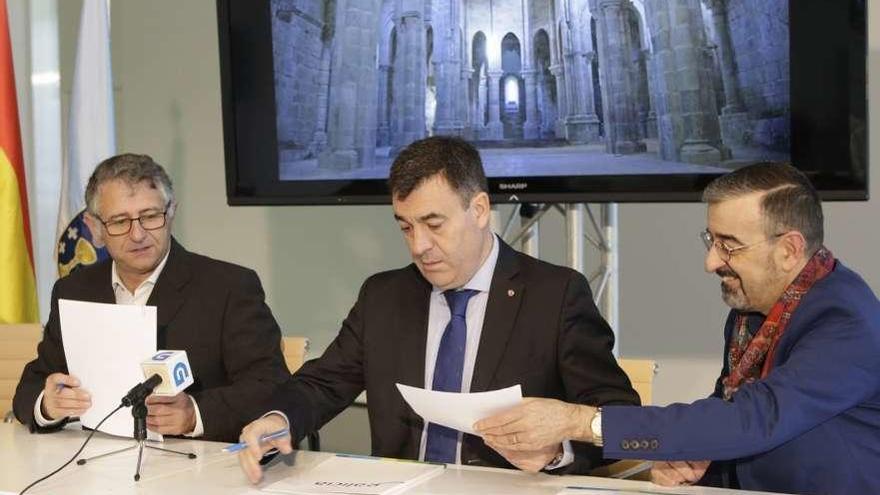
213	310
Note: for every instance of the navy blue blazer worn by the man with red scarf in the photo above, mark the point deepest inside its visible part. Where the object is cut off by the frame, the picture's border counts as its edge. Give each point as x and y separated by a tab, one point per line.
811	426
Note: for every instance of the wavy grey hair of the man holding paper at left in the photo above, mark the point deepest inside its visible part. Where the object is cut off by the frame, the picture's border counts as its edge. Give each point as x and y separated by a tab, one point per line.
132	169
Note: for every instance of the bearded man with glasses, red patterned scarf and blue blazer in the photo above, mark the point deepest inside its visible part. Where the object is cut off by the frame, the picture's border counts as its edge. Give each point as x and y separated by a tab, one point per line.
797	406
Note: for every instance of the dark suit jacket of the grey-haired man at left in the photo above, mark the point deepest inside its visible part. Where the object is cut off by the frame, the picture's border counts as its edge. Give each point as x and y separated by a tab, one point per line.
215	311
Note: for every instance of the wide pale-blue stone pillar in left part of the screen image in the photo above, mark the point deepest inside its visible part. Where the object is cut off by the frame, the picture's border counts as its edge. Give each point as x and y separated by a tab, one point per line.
351	116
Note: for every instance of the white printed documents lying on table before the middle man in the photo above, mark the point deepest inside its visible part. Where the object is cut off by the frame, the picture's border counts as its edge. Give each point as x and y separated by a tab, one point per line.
345	474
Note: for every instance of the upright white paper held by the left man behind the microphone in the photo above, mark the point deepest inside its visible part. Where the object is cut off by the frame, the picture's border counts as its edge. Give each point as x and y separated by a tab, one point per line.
104	345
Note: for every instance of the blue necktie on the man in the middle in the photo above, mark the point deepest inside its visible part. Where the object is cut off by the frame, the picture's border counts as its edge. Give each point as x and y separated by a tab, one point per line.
442	441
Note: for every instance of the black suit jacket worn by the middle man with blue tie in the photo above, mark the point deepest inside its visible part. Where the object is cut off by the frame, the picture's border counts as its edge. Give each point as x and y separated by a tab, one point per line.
541	330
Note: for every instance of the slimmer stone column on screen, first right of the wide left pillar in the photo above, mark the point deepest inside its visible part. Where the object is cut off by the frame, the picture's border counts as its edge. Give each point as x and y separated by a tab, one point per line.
409	77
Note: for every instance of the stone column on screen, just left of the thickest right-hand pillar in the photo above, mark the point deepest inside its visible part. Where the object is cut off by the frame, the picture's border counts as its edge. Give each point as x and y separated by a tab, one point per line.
622	134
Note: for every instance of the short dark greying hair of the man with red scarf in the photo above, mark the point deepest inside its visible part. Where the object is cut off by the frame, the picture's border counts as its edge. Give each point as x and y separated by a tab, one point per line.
790	201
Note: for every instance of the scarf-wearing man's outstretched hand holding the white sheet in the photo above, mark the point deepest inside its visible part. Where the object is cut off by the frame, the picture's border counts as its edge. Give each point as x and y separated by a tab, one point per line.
536	424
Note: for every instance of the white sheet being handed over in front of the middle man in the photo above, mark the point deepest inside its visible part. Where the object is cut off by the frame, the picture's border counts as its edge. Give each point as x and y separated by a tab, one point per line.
459	411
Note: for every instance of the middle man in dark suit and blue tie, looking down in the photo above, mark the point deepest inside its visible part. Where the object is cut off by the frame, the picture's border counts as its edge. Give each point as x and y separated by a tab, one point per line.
469	315
